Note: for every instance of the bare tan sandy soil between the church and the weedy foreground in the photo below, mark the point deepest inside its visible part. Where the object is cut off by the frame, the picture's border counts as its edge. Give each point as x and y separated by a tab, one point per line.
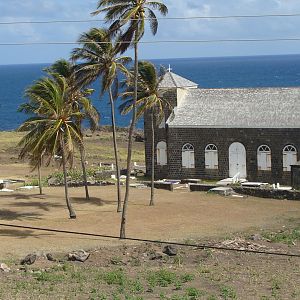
178	215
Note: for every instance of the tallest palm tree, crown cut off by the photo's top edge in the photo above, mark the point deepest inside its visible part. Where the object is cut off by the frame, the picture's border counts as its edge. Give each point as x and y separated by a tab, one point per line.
130	15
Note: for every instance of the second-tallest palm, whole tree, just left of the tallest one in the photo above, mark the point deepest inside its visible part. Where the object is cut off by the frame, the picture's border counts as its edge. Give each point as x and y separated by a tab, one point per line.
99	54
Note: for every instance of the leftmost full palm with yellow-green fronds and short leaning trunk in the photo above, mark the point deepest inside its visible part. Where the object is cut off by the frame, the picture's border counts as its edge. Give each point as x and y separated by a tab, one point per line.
53	128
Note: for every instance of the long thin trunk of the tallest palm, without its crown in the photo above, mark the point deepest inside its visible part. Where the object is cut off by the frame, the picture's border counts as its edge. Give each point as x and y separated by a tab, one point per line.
131	129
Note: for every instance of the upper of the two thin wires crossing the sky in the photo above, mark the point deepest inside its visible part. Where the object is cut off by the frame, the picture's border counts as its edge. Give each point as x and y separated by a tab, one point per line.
159	18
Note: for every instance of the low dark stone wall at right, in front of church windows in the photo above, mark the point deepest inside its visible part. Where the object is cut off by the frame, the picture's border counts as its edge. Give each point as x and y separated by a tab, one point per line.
268	193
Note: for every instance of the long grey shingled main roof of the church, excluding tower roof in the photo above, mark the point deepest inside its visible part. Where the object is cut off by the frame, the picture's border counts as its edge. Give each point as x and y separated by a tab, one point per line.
238	108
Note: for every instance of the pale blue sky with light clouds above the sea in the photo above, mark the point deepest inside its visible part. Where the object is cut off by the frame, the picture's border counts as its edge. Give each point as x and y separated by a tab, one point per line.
205	29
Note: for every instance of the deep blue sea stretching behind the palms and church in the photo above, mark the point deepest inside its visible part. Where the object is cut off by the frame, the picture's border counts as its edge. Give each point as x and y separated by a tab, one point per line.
223	72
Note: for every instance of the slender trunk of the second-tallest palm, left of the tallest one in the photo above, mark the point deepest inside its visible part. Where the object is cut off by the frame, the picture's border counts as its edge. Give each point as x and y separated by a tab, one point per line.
113	121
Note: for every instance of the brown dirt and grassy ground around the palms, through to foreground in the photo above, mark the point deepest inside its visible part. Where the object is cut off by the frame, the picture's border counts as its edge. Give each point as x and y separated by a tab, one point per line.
121	270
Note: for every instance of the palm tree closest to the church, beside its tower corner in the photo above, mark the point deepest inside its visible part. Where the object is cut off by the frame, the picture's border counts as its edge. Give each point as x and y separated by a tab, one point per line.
149	100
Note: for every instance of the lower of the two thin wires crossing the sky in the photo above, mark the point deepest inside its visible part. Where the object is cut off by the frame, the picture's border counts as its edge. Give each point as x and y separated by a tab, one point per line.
160	42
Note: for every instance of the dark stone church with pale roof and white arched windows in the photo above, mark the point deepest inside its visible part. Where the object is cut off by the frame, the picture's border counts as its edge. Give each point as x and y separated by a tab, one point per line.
218	133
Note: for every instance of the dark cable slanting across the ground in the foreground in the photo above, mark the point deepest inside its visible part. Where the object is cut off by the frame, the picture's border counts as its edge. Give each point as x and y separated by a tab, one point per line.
199	246
